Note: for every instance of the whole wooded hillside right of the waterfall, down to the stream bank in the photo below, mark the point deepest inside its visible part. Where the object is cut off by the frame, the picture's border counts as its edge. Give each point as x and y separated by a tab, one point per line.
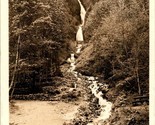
117	51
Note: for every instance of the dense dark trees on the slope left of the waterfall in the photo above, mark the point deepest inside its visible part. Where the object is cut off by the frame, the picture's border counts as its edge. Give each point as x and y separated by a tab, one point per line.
44	30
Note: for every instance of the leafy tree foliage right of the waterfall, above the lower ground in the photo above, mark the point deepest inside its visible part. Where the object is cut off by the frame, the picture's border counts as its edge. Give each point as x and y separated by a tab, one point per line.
120	36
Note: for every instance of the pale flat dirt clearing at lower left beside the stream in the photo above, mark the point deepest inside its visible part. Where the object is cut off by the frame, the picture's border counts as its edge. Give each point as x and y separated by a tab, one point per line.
41	112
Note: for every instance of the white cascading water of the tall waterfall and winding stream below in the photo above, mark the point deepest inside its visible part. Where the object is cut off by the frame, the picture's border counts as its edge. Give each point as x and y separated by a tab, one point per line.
94	85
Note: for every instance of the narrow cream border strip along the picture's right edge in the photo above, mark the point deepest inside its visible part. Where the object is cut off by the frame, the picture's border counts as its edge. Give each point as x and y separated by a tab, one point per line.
152	63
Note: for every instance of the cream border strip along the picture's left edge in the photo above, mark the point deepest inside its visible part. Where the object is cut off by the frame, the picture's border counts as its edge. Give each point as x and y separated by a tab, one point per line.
4	63
